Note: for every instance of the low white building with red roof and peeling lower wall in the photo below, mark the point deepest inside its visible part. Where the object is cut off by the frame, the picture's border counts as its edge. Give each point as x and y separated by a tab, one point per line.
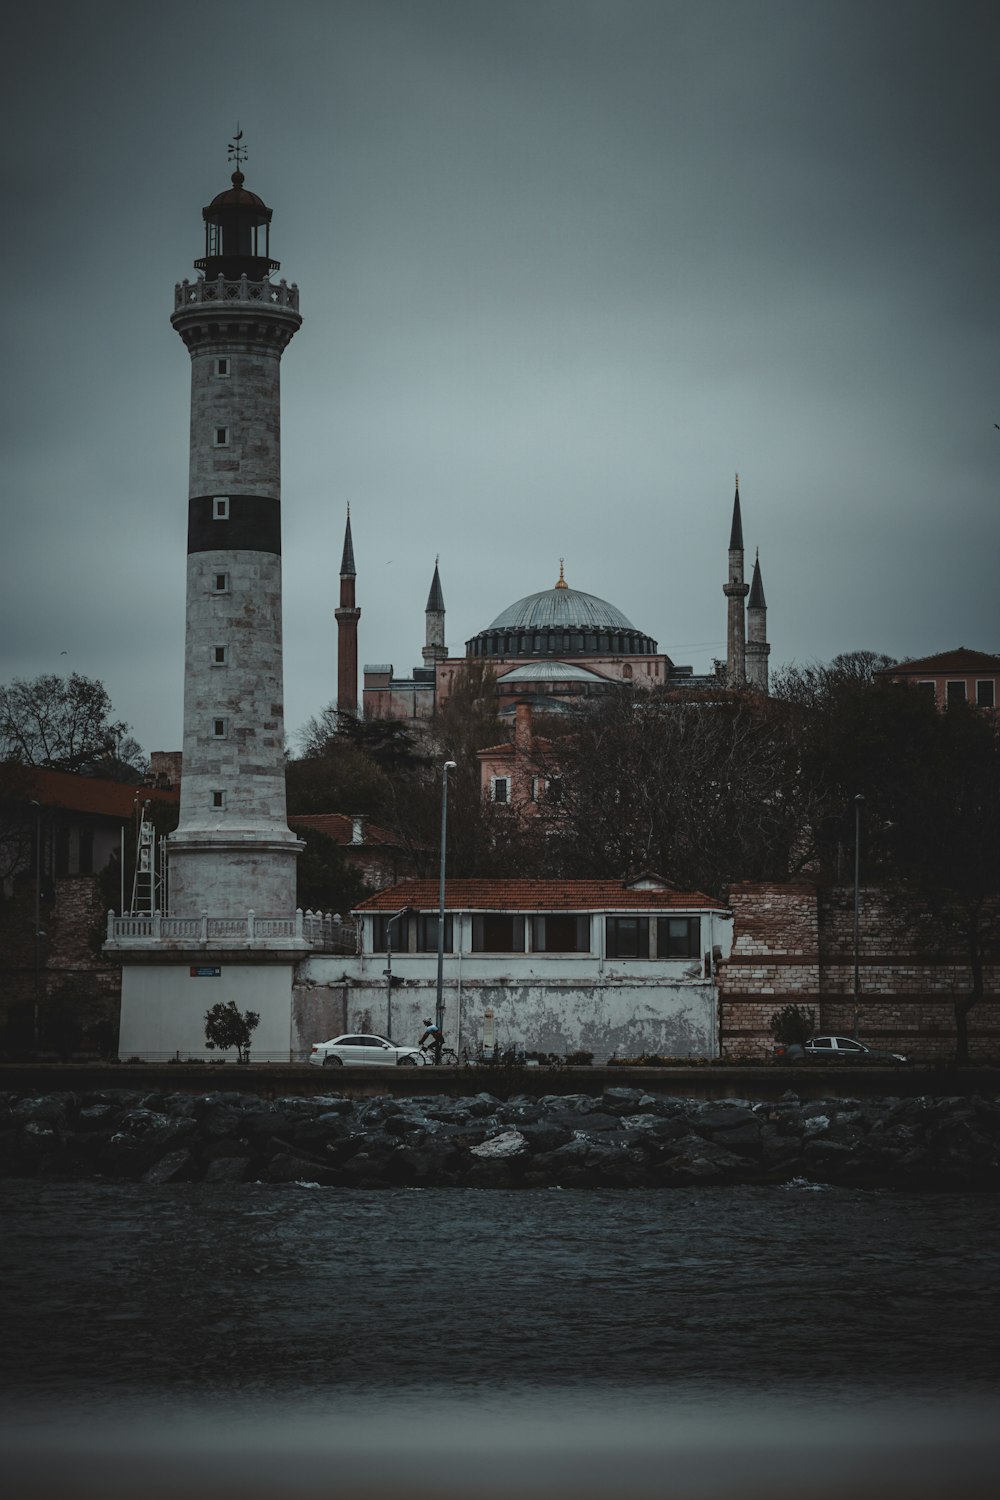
560	967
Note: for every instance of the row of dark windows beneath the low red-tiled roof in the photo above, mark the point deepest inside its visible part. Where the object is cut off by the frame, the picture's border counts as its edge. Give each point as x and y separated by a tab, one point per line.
554	932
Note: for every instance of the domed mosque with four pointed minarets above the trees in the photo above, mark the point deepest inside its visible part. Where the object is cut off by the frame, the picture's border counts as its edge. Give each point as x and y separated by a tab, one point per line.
552	650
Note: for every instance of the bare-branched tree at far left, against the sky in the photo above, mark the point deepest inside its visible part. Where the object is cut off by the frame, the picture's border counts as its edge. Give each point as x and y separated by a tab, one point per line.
65	724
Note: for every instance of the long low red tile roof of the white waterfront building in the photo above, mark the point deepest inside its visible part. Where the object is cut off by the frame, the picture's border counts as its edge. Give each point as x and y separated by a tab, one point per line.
537	896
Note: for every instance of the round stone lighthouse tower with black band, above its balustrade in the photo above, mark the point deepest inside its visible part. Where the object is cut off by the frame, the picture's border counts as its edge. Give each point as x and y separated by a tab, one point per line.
233	850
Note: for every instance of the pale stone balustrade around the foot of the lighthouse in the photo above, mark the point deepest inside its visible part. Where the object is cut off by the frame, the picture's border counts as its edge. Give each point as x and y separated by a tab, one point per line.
323	931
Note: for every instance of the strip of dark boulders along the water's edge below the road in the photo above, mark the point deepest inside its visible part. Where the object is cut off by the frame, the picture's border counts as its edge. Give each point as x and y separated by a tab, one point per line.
620	1139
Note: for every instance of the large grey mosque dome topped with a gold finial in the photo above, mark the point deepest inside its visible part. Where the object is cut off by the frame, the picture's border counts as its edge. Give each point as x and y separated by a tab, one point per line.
561	622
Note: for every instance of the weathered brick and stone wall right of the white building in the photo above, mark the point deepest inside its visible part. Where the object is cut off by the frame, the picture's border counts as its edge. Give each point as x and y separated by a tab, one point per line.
794	944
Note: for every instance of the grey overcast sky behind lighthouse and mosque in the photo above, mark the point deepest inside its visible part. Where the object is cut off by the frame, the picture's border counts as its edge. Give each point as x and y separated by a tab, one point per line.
566	266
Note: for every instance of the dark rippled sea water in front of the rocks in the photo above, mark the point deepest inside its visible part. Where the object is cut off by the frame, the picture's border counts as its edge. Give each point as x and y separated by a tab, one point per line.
305	1342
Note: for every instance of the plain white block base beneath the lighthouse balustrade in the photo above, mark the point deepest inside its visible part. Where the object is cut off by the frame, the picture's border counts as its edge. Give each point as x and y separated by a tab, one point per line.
164	1007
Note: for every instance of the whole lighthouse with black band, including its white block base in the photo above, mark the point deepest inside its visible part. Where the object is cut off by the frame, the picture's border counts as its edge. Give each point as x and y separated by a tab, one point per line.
229	929
